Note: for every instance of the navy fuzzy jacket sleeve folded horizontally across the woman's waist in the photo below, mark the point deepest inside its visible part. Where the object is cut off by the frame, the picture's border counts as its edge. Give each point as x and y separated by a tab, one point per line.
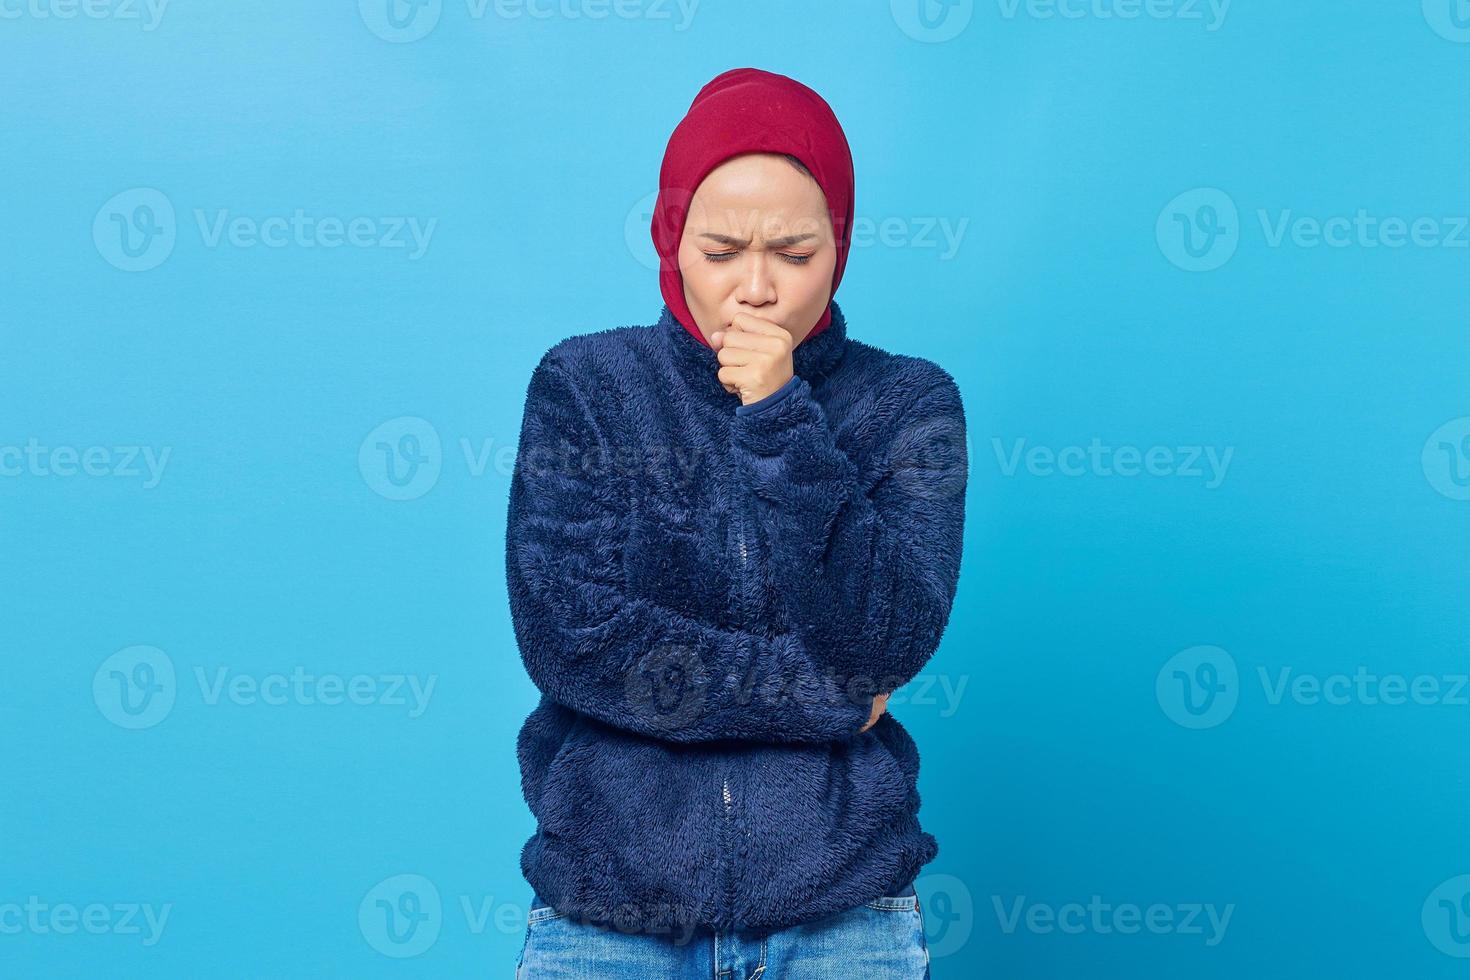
592	644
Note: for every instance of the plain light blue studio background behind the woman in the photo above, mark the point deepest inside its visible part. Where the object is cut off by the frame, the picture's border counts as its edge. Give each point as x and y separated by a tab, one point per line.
1069	765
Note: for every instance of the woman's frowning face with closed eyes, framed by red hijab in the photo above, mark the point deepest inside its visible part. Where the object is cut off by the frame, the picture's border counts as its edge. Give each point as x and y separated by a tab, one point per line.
758	240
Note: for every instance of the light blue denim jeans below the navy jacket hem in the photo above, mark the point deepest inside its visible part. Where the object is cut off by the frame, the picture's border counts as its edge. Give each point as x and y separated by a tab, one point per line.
877	941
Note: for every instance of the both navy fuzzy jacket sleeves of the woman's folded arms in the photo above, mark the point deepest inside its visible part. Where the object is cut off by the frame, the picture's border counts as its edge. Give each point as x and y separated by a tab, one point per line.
868	577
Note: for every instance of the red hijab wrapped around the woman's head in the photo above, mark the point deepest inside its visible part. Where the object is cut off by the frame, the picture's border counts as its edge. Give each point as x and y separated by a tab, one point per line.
749	111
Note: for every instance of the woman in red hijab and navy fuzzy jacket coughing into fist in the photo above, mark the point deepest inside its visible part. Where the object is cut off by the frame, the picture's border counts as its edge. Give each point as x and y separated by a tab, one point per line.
731	536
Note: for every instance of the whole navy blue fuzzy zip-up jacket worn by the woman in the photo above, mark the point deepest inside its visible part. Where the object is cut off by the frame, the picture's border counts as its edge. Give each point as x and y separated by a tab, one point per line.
709	596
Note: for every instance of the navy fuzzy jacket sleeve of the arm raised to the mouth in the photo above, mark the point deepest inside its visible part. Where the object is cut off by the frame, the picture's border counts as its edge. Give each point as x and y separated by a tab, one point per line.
867	563
